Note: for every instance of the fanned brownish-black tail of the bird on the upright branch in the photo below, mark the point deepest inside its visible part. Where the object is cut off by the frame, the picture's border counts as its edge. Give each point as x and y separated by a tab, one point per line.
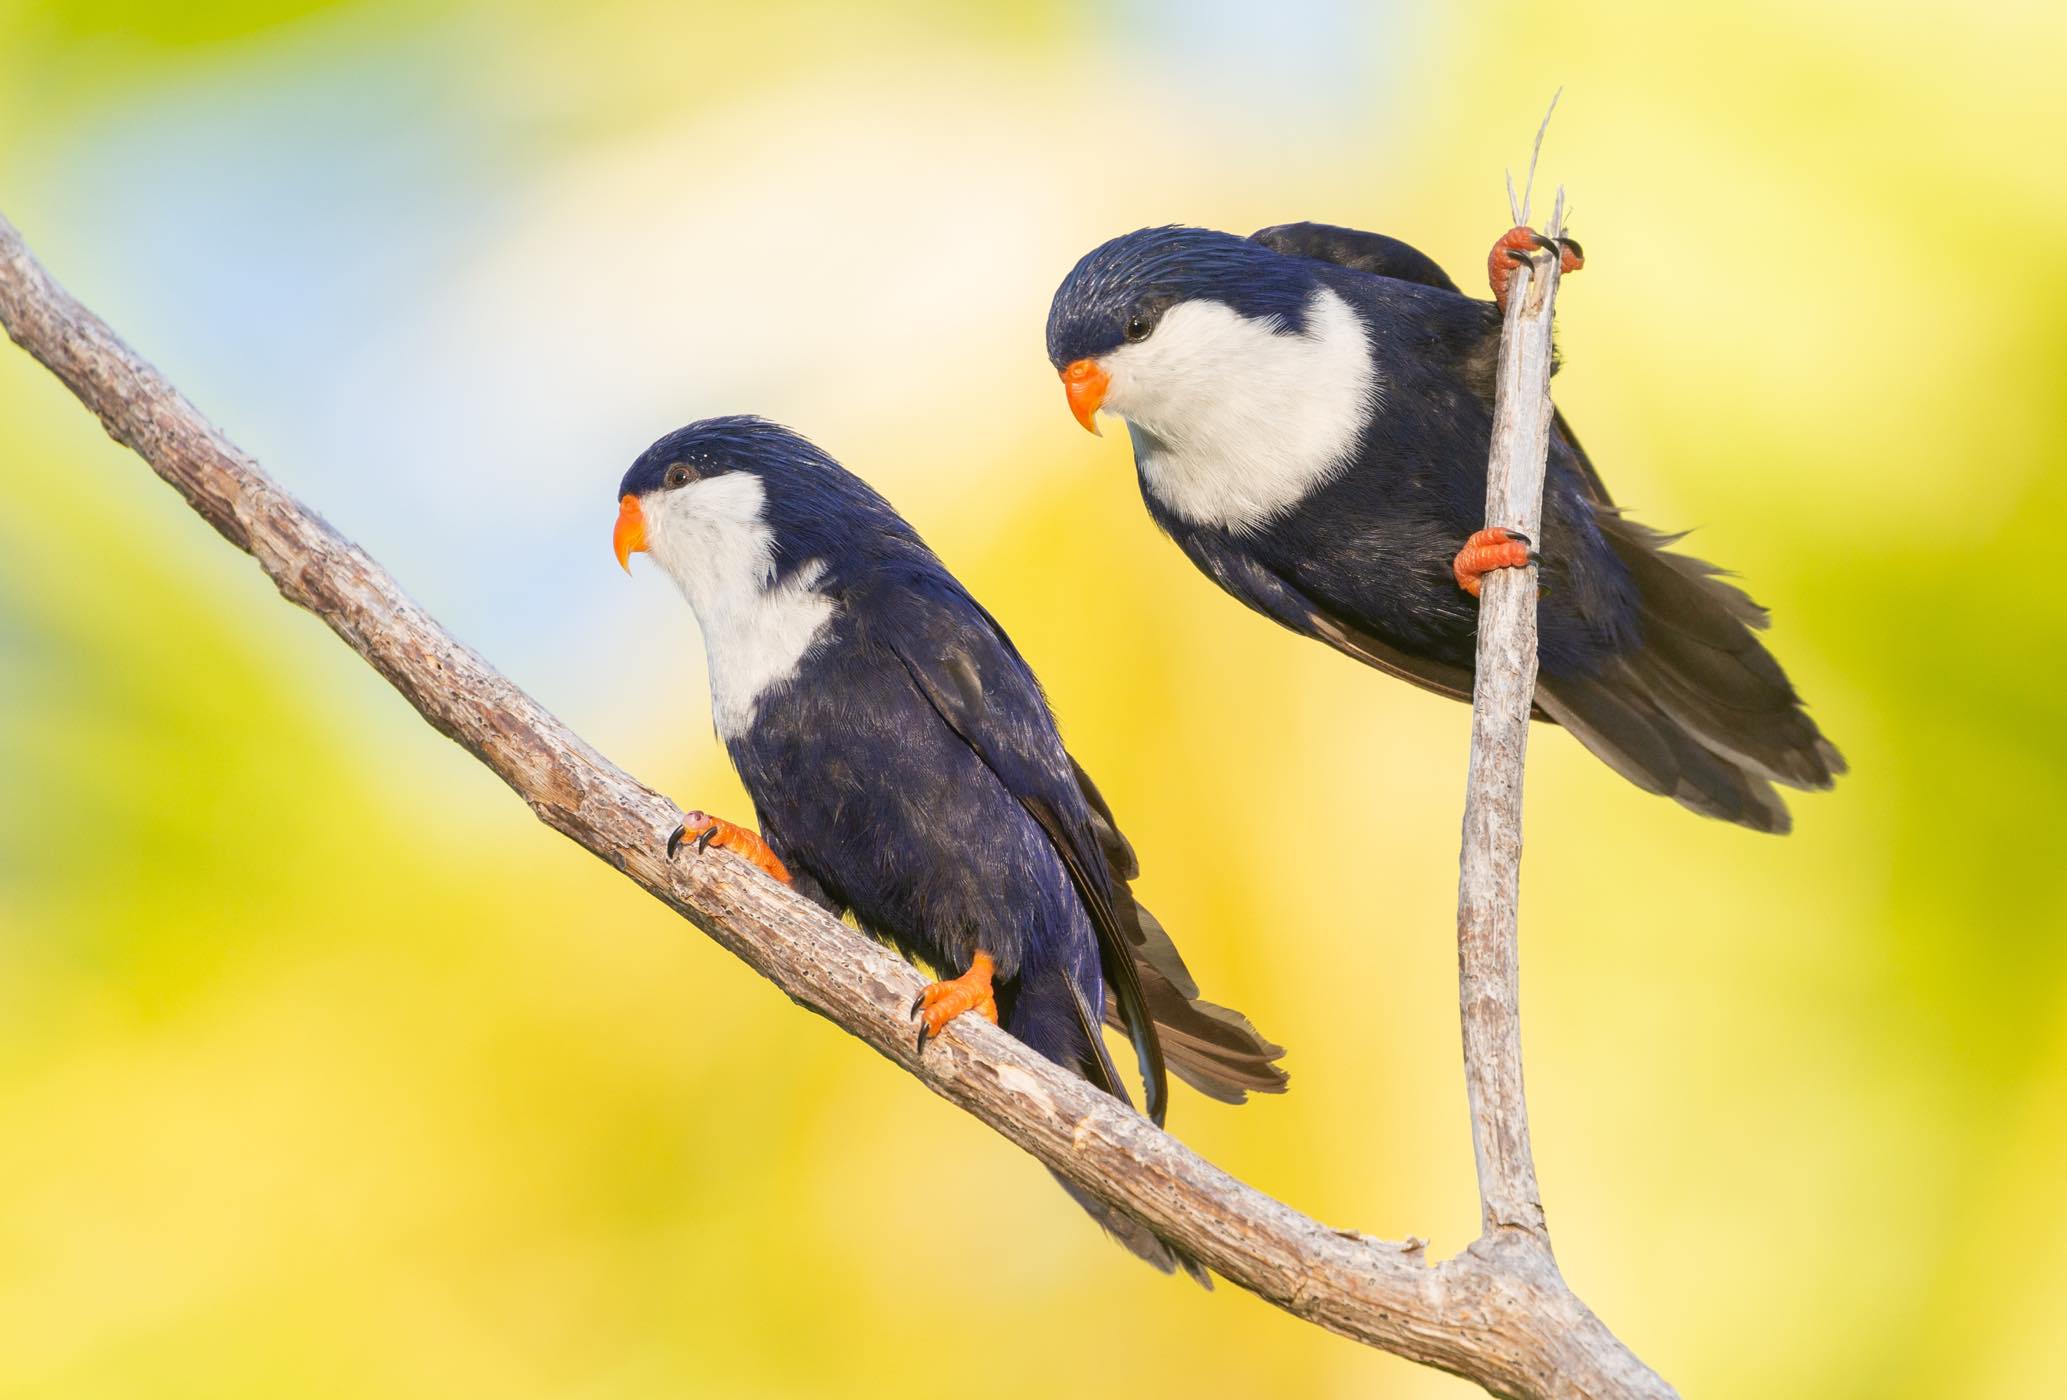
1702	712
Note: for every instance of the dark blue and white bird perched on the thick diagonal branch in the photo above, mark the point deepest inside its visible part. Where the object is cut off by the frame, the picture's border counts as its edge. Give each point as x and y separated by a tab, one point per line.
904	768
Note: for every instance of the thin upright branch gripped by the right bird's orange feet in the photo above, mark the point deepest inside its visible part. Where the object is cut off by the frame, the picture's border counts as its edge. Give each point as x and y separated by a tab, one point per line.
1489	878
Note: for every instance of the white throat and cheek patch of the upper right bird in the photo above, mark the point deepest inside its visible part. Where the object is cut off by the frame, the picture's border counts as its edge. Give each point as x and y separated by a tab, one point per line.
1239	421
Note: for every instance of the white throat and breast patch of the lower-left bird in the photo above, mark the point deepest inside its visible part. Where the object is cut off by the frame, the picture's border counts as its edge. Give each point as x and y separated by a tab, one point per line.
720	553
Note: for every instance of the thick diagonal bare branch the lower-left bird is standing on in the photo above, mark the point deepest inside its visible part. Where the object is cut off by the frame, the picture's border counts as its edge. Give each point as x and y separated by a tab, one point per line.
1514	1331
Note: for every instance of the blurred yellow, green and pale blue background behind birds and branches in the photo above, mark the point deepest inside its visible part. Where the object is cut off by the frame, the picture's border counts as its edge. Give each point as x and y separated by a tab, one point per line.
328	1072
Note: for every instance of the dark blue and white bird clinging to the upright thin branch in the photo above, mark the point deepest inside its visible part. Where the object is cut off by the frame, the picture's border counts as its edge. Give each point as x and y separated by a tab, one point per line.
1312	415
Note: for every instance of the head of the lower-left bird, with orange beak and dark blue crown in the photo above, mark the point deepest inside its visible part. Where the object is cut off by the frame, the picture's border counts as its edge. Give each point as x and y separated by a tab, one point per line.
739	504
